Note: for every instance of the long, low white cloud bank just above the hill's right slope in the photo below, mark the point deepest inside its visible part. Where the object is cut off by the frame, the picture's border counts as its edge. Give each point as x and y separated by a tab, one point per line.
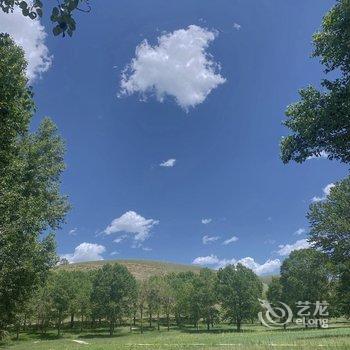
268	266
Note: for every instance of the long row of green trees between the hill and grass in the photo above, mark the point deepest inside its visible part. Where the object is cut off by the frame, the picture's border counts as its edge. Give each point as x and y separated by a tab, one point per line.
111	295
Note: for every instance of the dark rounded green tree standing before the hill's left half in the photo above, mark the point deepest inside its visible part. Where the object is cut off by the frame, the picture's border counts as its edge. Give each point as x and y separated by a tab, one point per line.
112	286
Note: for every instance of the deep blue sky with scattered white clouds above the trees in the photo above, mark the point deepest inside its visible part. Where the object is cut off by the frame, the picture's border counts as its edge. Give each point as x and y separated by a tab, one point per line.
224	138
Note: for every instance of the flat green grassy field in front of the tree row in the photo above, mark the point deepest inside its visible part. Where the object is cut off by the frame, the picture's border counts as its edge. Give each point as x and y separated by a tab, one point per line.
252	337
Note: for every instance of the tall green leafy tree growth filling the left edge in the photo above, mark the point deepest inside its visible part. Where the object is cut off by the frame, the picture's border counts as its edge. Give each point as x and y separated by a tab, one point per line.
30	169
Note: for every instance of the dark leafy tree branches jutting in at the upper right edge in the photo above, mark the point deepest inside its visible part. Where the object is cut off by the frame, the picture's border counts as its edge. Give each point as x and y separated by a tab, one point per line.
320	121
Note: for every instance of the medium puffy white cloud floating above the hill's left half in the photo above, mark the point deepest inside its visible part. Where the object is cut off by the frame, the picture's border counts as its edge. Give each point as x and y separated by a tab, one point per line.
131	222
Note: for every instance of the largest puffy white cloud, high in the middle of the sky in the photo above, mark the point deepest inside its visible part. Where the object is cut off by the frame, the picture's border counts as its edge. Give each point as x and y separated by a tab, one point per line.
178	66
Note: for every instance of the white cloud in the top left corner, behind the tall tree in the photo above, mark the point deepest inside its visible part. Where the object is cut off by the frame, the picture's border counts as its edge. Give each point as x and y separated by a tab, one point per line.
30	35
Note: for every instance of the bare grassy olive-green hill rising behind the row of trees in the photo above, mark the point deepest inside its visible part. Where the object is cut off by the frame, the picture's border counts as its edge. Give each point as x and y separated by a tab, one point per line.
143	269
